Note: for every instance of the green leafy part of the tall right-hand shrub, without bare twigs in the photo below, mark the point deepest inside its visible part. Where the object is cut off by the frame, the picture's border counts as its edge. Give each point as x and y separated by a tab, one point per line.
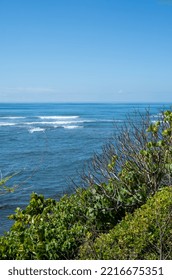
148	170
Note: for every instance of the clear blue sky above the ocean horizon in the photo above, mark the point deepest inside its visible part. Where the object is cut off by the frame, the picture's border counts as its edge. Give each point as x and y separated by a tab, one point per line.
85	51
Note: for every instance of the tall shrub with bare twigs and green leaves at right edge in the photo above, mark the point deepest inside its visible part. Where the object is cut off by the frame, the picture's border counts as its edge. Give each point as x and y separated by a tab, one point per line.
138	164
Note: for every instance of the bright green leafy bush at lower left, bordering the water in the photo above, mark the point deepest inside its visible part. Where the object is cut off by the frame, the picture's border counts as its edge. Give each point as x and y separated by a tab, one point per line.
47	229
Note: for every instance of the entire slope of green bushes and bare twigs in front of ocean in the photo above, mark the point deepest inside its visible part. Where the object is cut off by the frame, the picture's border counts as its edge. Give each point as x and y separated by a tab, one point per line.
124	212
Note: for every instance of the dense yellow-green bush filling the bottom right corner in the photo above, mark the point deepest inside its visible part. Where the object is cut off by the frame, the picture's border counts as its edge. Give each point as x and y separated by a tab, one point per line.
147	234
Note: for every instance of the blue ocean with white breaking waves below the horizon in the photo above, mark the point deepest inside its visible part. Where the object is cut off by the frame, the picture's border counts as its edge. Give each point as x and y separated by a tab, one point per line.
48	145
